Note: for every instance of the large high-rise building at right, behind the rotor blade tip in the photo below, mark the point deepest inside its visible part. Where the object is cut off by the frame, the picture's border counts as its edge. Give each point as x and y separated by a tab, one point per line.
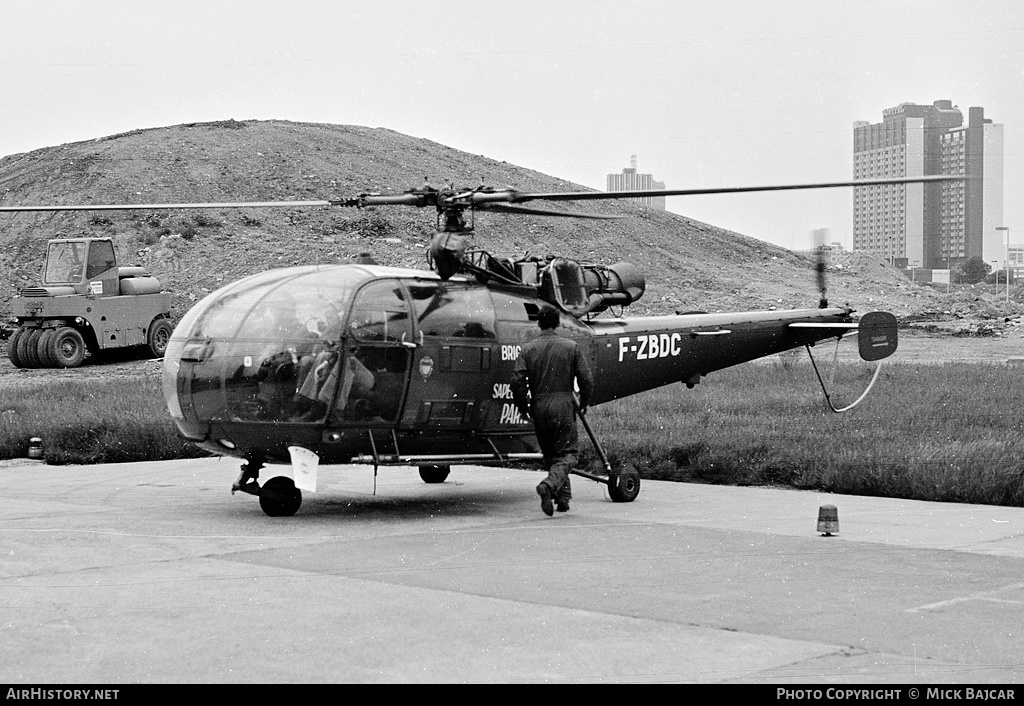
929	225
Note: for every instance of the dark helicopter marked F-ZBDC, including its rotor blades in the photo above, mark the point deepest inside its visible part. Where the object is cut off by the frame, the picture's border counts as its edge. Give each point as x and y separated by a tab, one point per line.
360	363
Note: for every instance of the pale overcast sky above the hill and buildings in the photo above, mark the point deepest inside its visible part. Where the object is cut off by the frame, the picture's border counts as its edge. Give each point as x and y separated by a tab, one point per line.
709	94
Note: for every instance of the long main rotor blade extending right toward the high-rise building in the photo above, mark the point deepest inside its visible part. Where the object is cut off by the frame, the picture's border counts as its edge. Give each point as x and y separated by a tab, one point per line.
519	197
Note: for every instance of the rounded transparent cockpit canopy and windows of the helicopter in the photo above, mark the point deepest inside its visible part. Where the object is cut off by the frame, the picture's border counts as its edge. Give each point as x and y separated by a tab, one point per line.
303	344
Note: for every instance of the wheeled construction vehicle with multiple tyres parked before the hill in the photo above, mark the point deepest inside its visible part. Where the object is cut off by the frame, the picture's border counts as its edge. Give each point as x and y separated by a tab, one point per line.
87	304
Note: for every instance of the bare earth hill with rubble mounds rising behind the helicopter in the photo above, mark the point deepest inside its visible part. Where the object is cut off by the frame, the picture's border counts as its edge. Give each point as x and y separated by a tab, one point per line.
690	265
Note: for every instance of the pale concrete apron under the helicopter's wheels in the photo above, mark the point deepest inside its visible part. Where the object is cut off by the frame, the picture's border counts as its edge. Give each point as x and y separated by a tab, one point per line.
155	573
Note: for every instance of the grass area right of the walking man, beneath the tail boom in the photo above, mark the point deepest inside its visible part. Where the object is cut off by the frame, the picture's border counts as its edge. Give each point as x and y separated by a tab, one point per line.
951	433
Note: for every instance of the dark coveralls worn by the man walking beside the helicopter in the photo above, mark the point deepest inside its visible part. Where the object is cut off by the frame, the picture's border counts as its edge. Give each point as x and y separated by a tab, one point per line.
548	366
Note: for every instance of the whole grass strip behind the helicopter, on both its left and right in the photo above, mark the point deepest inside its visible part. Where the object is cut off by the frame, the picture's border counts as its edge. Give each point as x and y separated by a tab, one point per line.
951	433
